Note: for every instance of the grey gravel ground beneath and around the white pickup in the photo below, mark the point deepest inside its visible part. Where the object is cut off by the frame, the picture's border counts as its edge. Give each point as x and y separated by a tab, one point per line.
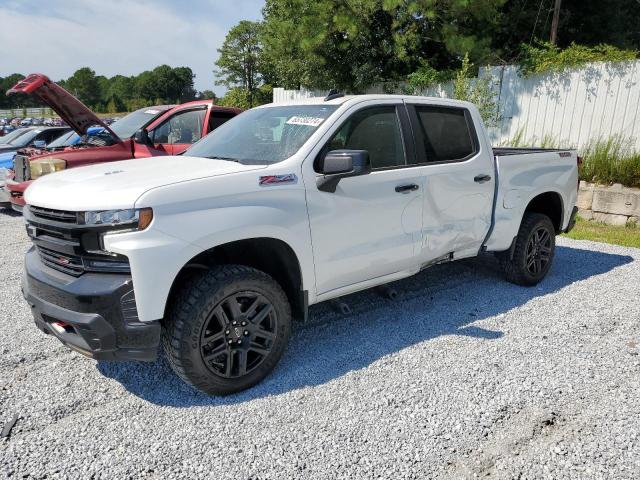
465	375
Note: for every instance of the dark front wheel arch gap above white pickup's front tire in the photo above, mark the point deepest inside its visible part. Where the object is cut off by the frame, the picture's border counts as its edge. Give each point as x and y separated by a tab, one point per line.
272	256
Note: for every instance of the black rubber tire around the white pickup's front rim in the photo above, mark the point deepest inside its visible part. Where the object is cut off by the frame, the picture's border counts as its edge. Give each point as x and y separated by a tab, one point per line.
191	311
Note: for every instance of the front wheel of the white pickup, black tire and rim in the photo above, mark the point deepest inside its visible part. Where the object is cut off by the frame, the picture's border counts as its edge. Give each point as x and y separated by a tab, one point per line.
227	329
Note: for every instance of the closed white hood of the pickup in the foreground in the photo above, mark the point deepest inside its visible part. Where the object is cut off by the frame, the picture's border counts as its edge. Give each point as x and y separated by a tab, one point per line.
117	185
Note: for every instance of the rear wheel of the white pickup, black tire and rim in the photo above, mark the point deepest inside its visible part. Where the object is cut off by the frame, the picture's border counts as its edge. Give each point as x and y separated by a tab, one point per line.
533	252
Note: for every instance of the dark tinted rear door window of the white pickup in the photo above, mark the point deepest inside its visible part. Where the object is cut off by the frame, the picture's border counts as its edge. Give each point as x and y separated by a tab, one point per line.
447	133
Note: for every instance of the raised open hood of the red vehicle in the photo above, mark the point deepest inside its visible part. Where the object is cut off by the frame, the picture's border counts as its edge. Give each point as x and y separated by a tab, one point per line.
75	113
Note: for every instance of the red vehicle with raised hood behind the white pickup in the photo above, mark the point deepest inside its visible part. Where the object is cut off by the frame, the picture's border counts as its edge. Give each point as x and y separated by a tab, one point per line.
151	131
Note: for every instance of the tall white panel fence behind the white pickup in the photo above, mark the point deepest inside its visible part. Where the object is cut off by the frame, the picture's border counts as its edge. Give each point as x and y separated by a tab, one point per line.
572	109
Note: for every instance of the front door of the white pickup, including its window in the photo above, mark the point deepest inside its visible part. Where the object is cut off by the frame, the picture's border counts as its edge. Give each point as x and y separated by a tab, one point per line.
370	226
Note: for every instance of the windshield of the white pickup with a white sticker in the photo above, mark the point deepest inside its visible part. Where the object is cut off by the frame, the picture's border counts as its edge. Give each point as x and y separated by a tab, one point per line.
263	135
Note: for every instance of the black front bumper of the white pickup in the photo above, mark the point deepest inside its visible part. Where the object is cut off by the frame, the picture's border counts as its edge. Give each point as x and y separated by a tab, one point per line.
93	314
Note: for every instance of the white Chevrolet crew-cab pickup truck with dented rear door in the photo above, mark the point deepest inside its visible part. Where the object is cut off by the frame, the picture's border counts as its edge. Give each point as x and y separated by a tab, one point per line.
214	252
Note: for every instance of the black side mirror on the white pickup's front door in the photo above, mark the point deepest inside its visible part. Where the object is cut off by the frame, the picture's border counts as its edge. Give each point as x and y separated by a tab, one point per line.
339	164
